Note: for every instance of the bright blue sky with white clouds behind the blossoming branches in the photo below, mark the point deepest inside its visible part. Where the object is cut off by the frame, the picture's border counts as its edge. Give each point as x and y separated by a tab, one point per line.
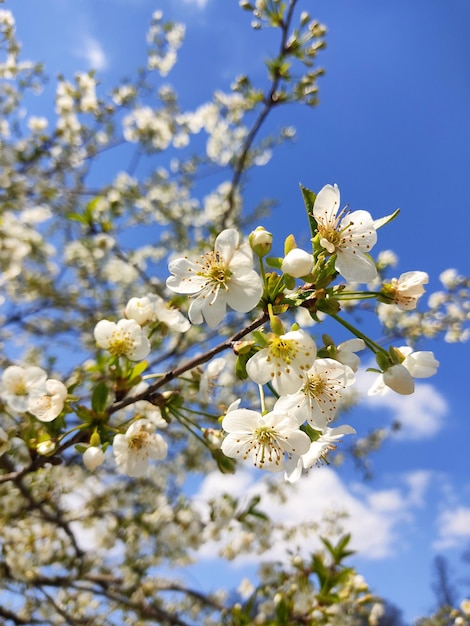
393	130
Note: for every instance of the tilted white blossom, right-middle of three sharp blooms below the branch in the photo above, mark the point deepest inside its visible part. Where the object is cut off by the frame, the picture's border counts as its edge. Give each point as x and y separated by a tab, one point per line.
318	399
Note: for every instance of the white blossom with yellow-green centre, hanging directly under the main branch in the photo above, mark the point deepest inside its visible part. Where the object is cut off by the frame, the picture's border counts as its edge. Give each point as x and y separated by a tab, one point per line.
284	362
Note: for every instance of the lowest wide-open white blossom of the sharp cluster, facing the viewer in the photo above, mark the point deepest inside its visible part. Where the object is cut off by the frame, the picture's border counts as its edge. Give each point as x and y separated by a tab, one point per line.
264	439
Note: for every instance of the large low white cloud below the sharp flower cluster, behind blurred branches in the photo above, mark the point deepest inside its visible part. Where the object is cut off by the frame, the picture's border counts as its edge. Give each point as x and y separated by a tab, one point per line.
374	518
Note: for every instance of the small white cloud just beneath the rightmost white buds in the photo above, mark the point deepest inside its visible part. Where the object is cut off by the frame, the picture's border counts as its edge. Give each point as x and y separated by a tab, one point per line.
421	415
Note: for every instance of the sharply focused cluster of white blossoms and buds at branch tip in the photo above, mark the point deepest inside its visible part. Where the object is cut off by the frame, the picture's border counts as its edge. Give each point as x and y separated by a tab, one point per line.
309	384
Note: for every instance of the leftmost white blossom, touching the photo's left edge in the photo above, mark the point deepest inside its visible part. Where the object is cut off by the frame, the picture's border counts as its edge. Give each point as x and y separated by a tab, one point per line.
18	382
